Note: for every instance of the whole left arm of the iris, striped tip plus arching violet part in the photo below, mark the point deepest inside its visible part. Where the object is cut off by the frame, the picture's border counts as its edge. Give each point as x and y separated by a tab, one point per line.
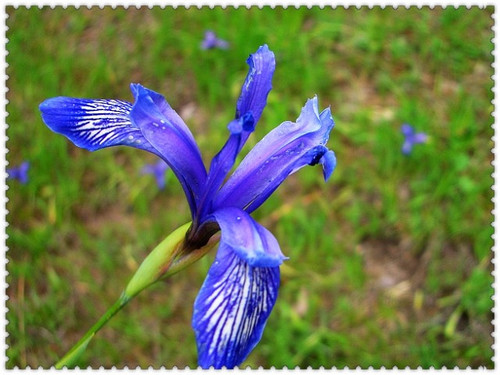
149	124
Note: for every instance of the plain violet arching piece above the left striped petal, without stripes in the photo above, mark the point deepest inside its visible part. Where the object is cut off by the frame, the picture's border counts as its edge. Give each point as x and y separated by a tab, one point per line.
162	127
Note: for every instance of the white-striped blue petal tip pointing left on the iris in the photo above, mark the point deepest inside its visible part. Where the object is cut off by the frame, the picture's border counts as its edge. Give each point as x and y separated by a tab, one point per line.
93	123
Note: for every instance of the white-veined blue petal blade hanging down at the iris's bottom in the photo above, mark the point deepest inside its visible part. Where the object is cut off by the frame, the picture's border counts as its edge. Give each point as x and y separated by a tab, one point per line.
232	308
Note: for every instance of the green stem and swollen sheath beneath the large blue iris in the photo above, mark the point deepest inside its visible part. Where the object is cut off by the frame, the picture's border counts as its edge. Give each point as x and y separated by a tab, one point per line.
165	260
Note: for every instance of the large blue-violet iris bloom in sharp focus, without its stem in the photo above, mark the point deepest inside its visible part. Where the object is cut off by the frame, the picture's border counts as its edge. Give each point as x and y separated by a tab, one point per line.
241	287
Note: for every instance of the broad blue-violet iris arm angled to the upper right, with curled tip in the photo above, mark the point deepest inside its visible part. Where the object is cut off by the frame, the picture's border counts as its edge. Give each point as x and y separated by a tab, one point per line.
280	153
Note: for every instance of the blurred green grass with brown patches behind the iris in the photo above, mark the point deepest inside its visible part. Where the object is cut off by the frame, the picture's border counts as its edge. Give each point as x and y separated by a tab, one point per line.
390	261
